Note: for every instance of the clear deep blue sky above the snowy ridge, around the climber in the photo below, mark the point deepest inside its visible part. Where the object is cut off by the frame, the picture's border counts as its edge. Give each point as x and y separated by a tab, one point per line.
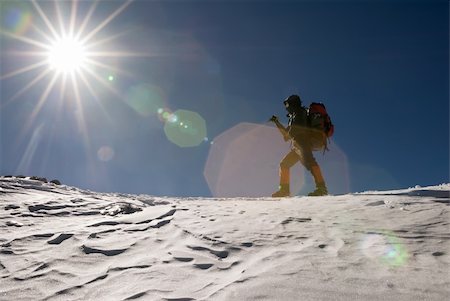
115	125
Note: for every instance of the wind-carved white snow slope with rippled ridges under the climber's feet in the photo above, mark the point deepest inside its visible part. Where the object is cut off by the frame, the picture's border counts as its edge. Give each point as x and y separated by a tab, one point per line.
63	243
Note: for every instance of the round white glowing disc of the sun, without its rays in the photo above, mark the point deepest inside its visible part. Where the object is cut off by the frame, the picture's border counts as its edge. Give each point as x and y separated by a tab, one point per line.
67	55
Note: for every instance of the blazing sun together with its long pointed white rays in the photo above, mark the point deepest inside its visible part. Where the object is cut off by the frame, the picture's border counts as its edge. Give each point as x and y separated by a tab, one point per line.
66	48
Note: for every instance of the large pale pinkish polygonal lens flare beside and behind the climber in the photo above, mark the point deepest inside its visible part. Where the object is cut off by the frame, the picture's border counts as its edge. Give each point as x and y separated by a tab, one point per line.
243	162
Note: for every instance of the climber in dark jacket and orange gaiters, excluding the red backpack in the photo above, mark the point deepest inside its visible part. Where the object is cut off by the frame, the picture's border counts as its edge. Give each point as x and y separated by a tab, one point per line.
304	139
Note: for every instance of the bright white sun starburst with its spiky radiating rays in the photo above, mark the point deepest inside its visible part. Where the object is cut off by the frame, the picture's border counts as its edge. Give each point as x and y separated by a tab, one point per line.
64	47
